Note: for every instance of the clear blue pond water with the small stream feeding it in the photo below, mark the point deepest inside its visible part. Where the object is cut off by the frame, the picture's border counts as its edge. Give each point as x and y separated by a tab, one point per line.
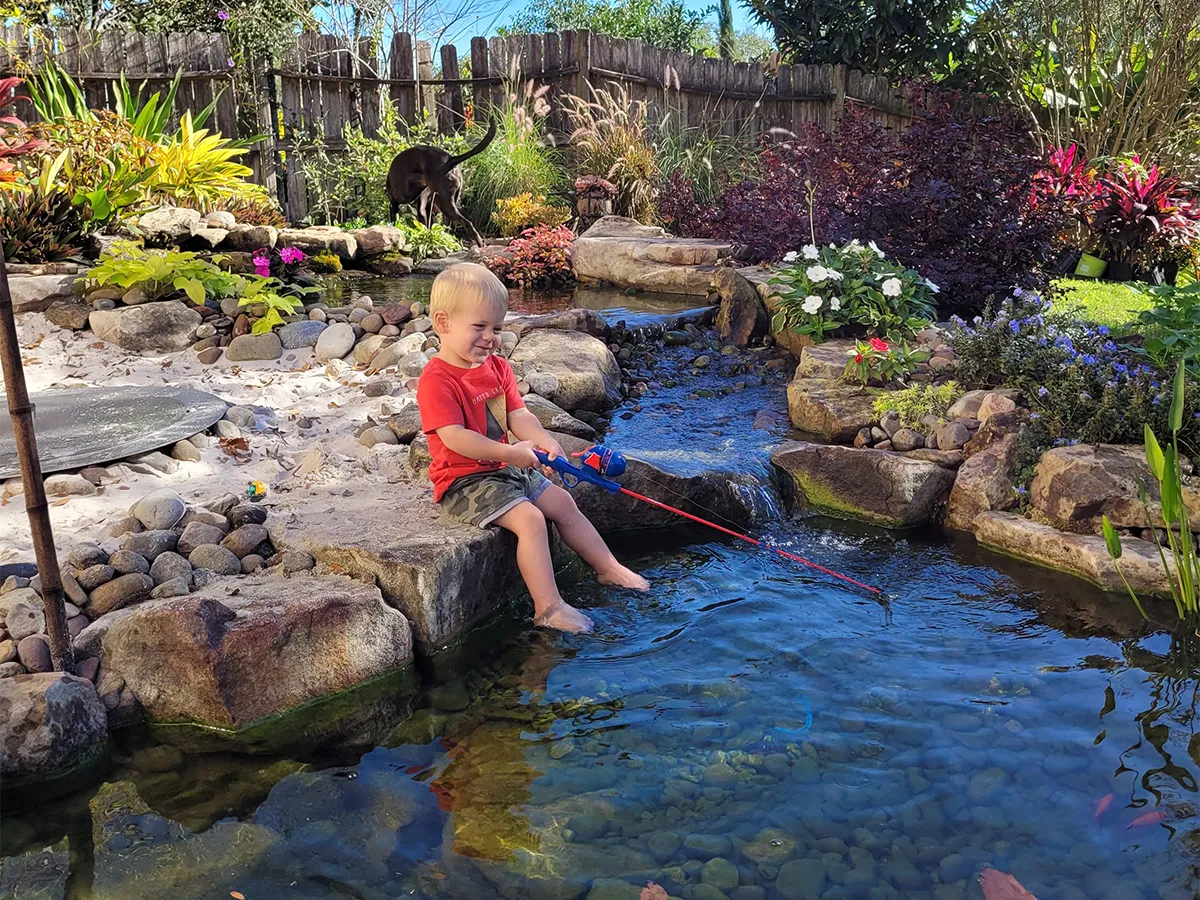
749	730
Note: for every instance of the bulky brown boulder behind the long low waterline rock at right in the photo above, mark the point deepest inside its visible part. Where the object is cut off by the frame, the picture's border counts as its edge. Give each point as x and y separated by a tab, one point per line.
1076	487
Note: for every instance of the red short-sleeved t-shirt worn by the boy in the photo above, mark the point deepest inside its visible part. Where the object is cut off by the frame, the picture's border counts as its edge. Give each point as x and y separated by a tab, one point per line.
448	395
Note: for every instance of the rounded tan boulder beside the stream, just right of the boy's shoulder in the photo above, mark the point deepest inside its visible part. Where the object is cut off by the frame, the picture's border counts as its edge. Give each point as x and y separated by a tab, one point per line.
587	373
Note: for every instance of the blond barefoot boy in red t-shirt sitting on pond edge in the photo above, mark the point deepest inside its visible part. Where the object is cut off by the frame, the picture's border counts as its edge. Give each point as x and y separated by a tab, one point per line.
470	404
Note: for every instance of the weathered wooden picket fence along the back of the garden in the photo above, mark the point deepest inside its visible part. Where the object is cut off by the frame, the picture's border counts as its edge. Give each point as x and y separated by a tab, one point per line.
325	87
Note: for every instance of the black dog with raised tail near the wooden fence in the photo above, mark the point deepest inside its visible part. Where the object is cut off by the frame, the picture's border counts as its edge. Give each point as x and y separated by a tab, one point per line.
429	178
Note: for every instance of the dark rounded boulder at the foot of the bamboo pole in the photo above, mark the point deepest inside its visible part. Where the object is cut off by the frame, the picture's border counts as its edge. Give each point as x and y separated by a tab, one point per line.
50	724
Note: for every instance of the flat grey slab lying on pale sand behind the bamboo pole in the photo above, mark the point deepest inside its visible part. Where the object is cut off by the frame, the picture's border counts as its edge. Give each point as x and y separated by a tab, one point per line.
92	427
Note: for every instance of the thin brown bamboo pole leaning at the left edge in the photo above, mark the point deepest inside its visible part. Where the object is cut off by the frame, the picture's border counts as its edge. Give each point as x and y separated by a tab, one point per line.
21	411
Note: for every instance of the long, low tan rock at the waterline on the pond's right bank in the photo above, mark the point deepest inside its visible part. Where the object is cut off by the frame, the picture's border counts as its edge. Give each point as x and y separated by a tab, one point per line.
1084	556
